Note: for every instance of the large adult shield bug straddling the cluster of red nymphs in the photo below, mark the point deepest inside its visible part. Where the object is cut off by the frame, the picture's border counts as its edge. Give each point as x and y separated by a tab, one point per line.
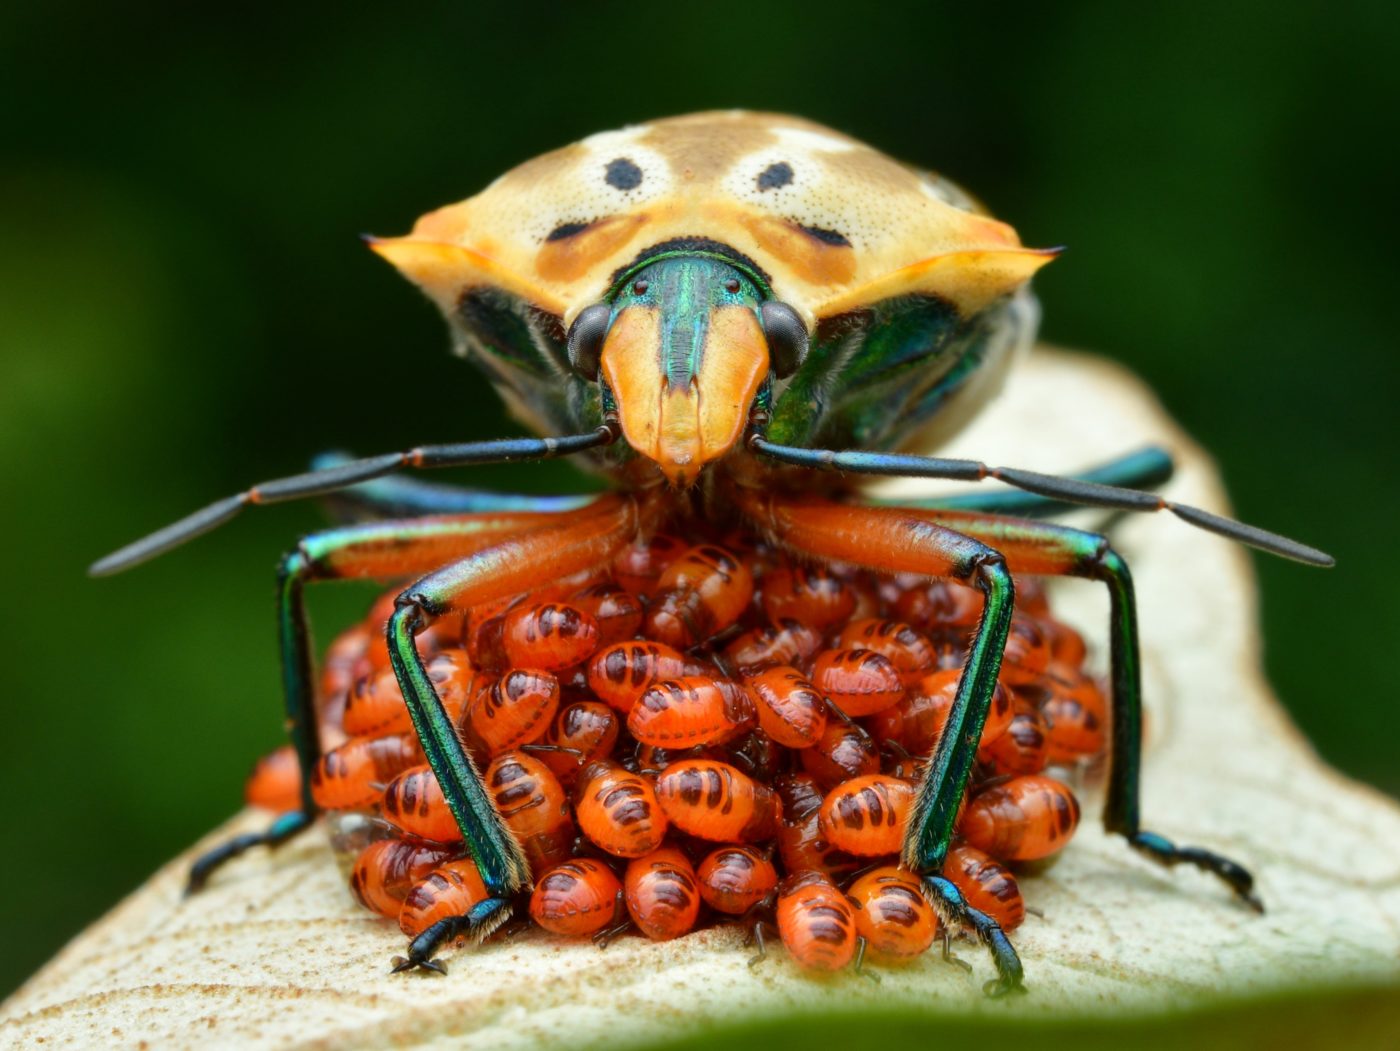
733	317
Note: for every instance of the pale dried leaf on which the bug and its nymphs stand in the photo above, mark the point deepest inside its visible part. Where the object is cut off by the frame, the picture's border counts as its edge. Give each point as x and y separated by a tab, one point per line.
275	952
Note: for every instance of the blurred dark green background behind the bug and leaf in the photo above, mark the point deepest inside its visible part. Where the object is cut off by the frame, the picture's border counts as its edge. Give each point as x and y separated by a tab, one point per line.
185	309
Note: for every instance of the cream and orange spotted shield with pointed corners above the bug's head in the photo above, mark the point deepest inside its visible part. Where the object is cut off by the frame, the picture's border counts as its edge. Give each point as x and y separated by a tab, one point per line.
834	223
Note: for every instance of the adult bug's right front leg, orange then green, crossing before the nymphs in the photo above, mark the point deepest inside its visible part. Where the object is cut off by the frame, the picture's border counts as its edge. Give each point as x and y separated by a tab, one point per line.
895	541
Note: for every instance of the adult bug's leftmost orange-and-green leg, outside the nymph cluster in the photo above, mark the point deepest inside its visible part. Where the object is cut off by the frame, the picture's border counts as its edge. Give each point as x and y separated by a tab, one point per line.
380	551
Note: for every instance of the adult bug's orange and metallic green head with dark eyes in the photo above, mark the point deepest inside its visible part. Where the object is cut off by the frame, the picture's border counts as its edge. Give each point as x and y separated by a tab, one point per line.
684	344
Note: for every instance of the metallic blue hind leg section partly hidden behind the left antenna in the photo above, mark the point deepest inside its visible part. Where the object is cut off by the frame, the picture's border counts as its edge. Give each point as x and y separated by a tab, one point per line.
400	496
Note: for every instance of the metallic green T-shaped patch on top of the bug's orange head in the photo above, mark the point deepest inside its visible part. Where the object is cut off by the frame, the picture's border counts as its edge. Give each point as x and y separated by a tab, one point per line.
685	290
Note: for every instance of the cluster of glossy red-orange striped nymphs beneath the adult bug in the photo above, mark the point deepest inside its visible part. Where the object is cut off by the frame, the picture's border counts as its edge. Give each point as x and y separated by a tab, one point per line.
706	734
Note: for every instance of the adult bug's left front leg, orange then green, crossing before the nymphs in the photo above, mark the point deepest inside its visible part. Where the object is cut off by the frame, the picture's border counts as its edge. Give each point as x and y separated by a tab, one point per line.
587	541
